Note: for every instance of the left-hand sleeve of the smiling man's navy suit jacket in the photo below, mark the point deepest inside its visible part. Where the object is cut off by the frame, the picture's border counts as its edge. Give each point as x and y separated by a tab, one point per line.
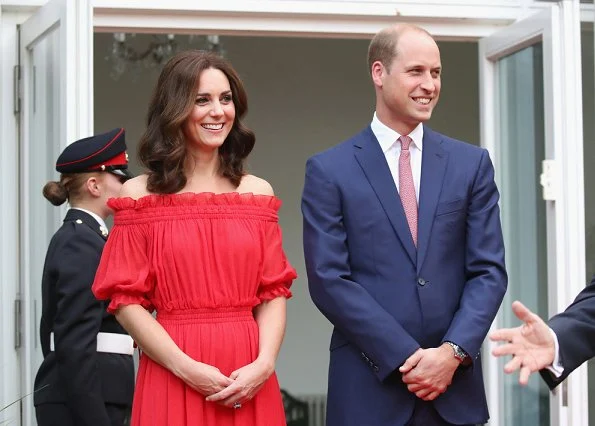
346	304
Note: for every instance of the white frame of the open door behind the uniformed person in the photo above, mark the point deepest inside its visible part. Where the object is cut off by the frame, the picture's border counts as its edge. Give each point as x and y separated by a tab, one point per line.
72	20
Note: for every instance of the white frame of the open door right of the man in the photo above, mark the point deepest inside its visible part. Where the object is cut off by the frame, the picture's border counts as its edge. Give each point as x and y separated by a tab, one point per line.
558	30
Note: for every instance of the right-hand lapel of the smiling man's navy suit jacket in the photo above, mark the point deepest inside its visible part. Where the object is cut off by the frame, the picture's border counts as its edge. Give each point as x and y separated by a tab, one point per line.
434	161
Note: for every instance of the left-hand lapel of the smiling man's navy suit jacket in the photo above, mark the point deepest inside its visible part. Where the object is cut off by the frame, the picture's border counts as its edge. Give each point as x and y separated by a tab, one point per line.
371	159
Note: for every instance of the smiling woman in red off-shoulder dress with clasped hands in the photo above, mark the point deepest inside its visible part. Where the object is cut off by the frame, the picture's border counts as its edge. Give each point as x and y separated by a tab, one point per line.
197	240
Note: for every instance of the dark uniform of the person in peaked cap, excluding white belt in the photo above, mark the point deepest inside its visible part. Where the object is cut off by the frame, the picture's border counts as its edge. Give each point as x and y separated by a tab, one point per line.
75	374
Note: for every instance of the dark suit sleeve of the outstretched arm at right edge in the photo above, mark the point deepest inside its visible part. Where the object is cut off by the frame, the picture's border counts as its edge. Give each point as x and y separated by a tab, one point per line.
575	329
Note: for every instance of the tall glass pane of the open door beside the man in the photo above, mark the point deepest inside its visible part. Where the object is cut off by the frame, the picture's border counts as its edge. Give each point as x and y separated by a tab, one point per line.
522	149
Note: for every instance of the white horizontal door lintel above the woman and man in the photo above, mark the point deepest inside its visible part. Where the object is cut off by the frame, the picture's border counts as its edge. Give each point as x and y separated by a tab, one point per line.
448	20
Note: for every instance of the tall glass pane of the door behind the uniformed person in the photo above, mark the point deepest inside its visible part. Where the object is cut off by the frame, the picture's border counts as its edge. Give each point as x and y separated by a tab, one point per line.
39	159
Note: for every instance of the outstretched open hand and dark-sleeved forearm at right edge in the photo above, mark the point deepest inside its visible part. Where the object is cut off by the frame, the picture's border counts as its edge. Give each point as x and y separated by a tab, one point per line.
554	349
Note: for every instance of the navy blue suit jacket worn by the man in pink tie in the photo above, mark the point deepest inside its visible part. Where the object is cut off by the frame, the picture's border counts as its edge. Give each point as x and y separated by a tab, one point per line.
385	298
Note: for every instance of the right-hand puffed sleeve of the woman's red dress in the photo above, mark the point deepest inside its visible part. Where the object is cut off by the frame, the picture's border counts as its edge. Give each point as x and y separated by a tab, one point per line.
277	273
